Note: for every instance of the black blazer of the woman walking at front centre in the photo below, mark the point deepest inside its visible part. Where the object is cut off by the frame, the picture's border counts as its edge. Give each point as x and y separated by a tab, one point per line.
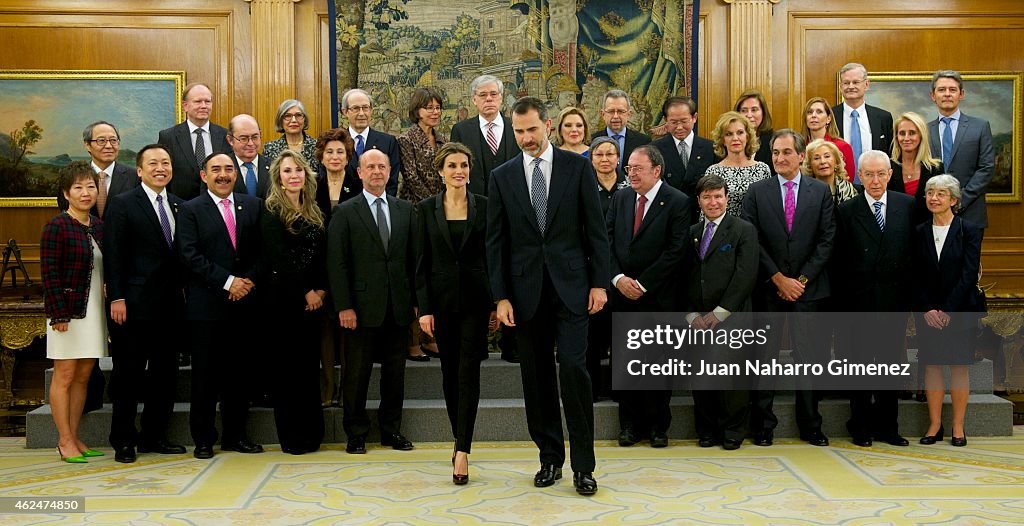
452	279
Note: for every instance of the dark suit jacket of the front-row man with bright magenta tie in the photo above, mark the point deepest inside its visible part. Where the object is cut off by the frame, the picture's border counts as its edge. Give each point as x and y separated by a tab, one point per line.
806	250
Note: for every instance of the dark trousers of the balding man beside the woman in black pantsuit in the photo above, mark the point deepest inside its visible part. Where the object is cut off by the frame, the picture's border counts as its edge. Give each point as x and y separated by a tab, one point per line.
386	344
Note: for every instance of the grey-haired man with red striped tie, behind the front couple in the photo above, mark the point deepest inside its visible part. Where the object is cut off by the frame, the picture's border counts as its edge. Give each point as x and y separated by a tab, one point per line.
491	140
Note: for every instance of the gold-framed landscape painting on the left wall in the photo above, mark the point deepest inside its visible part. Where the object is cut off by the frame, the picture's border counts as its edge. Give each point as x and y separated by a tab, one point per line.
46	113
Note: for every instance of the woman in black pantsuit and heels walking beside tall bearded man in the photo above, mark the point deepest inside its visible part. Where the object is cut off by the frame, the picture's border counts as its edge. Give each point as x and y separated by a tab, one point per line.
453	292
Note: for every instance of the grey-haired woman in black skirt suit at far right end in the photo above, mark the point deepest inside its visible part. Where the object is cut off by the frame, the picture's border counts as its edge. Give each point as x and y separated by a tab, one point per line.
948	252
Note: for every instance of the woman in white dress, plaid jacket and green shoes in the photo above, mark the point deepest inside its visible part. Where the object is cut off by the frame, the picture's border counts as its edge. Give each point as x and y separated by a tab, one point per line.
72	268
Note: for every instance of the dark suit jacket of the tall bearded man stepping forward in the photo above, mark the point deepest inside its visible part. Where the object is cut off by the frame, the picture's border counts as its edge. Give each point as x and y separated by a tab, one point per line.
574	249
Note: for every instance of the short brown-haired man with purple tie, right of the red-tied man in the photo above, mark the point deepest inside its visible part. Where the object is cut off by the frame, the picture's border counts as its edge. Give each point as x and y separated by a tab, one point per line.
724	258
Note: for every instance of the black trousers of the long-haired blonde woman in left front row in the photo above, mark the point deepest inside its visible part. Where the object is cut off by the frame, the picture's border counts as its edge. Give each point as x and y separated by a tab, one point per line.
297	410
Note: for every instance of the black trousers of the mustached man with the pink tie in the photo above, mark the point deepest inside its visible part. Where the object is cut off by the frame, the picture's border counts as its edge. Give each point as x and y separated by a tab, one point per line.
221	368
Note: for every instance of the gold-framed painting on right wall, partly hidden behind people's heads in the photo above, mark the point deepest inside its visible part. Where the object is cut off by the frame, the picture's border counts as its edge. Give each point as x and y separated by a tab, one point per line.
995	97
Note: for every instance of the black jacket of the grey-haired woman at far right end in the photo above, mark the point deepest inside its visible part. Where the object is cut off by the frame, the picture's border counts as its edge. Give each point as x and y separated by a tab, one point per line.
948	284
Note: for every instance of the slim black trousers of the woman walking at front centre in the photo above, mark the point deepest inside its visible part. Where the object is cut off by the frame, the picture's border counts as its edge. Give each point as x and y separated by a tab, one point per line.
462	340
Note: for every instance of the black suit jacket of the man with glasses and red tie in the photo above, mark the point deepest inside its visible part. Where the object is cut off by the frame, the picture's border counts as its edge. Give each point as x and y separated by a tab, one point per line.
655	255
